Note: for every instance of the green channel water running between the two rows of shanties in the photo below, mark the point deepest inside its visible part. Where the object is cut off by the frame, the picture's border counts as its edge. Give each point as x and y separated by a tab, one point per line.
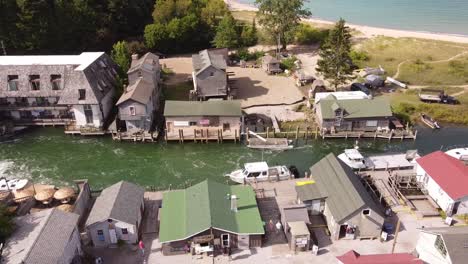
46	155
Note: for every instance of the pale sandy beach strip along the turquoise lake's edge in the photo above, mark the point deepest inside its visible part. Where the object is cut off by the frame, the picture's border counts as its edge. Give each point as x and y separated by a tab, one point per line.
367	31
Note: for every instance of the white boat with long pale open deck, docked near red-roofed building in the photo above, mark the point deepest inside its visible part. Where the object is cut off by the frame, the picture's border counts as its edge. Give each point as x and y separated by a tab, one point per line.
354	159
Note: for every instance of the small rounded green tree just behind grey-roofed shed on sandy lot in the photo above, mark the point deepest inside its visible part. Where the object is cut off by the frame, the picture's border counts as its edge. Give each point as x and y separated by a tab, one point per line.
226	33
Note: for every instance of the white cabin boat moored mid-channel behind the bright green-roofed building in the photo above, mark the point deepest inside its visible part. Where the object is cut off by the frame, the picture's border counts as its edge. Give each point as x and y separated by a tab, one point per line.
260	171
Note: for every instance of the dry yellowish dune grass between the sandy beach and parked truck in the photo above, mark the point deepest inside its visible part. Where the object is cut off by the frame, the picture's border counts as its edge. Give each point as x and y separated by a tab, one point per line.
420	54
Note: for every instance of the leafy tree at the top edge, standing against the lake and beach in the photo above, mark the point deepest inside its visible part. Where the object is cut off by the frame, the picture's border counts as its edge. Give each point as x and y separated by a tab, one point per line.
280	17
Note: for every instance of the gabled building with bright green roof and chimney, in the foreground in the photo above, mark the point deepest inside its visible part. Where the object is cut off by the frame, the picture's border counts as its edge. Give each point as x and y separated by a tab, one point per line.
209	217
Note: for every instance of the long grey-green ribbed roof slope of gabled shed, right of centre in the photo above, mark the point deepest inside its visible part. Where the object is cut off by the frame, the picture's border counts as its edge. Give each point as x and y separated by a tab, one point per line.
345	192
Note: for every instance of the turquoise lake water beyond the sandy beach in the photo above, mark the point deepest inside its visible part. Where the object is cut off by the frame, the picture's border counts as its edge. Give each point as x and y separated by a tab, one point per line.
437	16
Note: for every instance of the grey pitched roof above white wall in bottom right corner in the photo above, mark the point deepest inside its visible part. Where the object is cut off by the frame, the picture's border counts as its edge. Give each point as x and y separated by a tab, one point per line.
455	240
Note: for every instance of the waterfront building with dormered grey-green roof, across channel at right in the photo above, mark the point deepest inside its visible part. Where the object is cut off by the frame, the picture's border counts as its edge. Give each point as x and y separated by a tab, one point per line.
333	115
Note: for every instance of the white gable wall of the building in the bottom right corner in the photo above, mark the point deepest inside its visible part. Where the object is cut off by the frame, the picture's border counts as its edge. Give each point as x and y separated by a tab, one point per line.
427	251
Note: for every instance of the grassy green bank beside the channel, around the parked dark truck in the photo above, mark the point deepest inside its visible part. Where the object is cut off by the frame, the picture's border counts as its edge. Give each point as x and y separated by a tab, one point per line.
407	106
